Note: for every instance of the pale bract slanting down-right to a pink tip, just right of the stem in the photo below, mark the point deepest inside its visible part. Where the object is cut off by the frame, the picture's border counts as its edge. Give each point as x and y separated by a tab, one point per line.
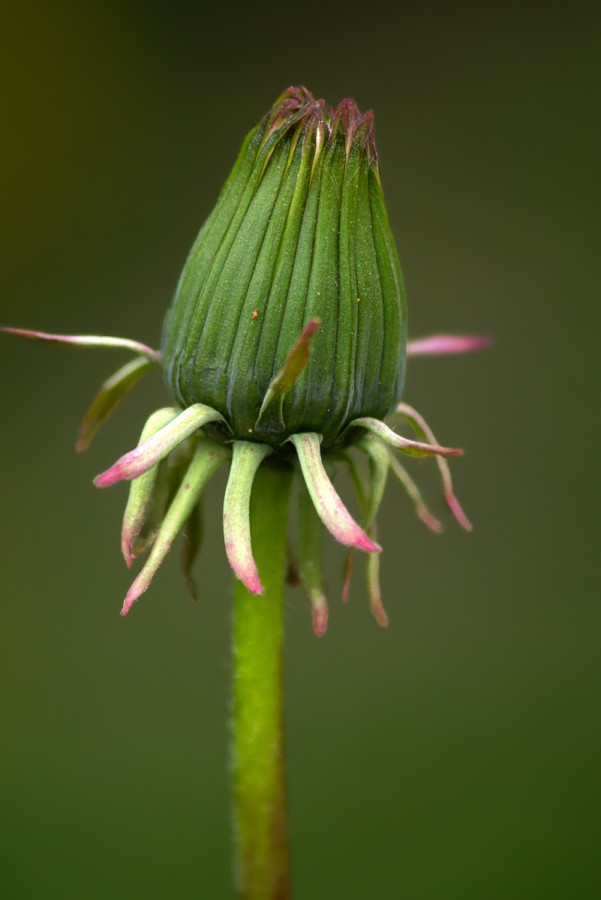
330	508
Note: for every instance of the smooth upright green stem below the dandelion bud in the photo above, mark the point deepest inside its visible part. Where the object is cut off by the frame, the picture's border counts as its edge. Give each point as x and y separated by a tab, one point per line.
260	814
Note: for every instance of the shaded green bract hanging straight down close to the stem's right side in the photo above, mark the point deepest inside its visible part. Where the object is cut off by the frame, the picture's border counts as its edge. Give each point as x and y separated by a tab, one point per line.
310	560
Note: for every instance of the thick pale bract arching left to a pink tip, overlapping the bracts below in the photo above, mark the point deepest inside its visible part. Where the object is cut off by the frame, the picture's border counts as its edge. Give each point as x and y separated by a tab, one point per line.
148	454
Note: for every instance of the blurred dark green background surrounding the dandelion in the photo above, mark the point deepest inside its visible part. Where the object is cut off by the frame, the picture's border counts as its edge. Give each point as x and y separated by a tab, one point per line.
455	755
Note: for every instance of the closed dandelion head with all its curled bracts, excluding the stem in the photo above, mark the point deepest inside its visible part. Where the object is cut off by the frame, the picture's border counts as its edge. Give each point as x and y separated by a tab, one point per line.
286	341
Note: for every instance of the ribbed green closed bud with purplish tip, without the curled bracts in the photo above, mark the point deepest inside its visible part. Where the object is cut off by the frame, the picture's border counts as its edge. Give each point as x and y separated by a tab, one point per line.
299	233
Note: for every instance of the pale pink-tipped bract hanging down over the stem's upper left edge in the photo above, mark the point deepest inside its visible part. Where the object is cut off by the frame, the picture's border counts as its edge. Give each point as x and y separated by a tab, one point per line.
236	512
